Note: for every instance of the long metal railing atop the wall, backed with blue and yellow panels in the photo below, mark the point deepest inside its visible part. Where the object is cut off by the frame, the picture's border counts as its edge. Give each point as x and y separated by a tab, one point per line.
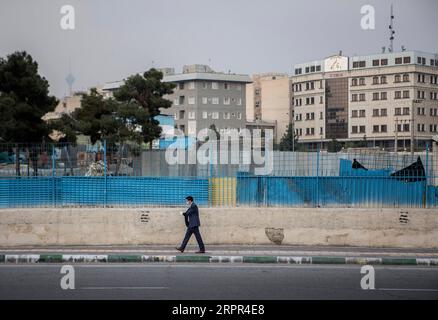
64	175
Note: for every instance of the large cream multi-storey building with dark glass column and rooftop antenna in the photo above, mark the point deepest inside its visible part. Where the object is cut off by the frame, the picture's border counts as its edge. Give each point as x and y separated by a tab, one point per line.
385	100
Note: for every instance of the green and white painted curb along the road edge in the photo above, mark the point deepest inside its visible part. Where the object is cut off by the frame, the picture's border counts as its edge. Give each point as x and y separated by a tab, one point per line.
103	258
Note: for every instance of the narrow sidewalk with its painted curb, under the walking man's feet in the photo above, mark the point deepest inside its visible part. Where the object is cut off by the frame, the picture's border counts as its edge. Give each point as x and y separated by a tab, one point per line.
222	254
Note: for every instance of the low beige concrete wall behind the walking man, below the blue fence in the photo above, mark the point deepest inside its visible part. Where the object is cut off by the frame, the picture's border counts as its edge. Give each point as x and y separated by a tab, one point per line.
304	226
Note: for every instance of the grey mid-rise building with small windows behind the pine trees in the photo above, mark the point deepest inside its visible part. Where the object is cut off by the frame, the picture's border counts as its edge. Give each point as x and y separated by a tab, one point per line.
203	98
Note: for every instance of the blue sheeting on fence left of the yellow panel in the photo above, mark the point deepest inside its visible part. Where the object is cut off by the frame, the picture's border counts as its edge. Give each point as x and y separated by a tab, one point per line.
98	191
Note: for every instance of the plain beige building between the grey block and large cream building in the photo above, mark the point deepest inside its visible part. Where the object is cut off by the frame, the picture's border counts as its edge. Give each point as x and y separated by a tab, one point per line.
269	101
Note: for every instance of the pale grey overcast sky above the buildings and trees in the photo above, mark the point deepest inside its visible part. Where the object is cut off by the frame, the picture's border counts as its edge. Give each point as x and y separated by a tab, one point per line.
114	38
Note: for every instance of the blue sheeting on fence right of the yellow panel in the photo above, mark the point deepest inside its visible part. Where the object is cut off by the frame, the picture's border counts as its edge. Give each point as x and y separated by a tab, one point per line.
333	192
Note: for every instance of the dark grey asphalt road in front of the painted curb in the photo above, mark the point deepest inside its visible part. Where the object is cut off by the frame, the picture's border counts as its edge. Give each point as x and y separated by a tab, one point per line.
201	281
